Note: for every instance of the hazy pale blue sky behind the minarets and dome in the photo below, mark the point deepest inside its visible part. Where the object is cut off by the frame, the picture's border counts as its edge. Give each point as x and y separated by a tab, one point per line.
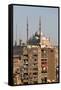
49	22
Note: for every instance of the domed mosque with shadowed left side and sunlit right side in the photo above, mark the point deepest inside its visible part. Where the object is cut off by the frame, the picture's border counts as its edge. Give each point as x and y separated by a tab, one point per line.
35	40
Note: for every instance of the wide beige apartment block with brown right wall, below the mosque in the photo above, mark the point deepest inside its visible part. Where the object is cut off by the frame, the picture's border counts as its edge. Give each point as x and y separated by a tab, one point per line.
37	65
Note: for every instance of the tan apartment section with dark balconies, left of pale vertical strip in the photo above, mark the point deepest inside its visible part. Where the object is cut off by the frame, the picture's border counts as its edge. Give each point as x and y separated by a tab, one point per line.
30	65
